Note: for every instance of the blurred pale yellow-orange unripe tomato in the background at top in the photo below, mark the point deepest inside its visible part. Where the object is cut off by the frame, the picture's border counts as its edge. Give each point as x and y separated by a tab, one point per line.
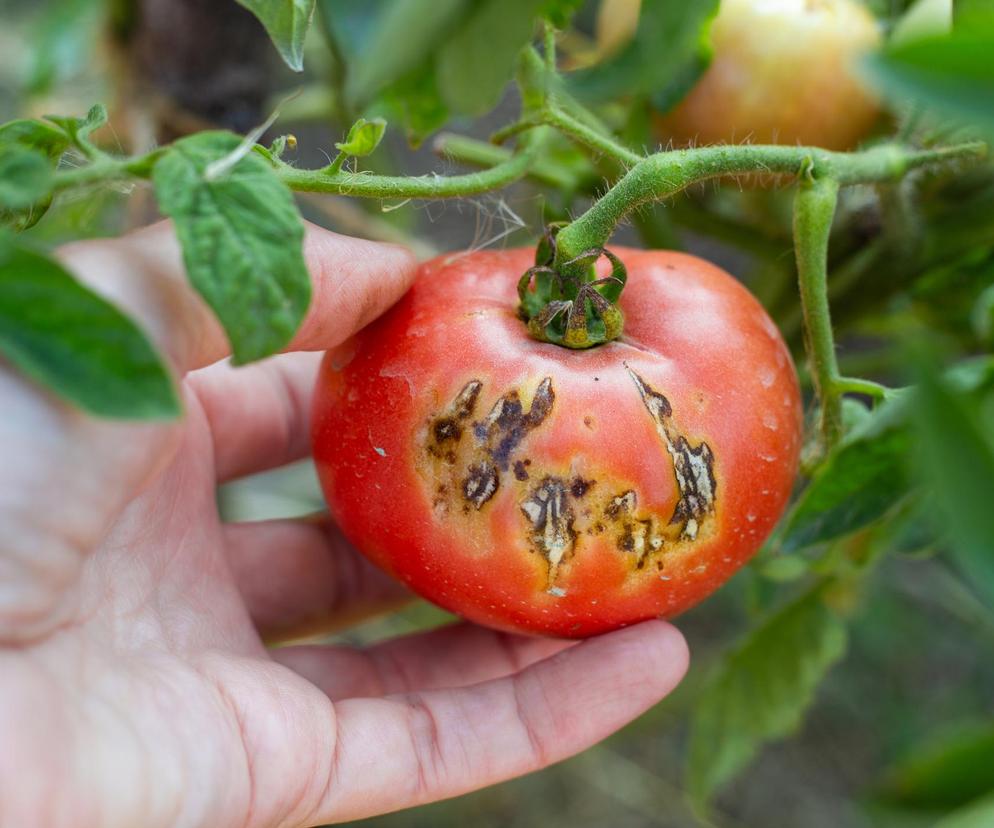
783	72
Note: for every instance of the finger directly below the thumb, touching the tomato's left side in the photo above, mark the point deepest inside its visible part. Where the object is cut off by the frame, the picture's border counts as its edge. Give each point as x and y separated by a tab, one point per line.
258	415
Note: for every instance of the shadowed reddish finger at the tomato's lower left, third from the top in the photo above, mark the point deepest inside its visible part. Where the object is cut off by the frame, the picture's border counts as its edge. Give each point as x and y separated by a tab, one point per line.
299	577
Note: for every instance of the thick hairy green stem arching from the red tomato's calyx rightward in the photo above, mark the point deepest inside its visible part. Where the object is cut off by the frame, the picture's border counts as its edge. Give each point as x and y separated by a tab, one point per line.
667	173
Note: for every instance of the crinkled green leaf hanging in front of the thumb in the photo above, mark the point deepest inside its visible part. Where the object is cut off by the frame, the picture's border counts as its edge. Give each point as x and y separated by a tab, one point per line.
242	239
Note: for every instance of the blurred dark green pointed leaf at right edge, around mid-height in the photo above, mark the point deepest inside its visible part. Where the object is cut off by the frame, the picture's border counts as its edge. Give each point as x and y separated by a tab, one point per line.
957	462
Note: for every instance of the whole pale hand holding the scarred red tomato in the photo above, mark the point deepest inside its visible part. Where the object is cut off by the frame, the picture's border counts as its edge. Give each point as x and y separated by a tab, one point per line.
135	687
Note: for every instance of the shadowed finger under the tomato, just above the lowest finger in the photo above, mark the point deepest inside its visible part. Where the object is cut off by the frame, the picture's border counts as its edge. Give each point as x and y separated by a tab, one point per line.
455	655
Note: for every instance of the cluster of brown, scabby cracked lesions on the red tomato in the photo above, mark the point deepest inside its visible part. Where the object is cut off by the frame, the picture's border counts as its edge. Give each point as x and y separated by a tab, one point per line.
469	458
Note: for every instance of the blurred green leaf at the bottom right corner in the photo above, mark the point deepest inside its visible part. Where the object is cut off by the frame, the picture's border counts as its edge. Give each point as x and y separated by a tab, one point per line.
950	770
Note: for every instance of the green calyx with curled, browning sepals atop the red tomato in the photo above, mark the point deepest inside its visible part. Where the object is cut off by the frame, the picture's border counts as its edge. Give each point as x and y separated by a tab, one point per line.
564	303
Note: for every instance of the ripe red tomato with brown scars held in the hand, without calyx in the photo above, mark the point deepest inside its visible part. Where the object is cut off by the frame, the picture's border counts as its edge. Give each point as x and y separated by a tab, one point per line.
532	488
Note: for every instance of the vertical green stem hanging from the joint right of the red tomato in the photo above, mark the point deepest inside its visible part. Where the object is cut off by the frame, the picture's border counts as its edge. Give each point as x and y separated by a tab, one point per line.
814	209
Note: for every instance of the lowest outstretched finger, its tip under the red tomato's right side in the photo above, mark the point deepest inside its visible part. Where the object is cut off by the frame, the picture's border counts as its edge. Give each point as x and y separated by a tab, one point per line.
403	751
